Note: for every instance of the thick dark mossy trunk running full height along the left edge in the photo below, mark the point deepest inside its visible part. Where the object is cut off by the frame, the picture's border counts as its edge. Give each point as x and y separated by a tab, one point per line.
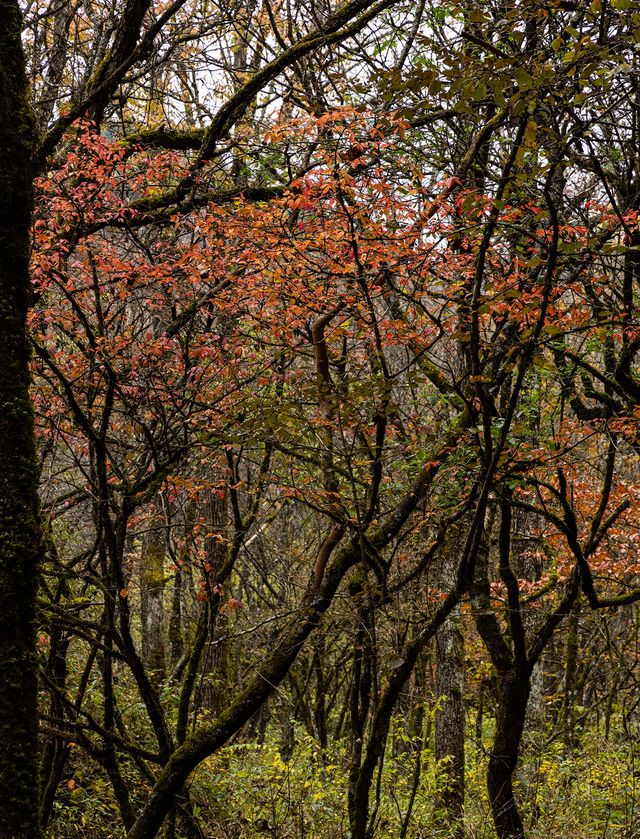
20	541
